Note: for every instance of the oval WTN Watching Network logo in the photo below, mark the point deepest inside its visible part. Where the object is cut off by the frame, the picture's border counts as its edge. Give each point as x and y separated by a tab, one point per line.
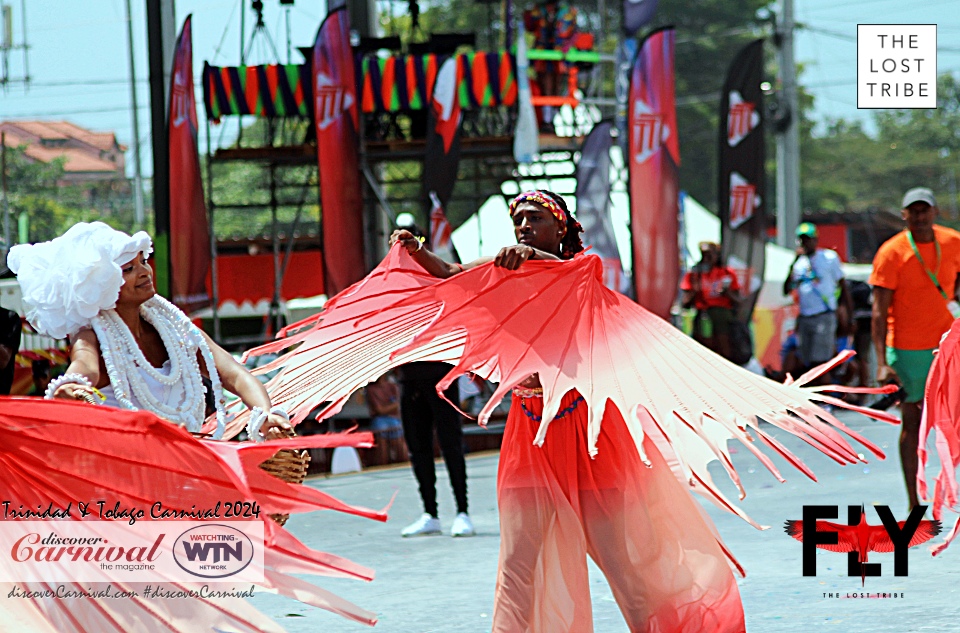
213	551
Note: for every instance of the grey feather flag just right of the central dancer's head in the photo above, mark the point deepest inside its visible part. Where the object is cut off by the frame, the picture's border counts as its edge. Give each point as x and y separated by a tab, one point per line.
593	202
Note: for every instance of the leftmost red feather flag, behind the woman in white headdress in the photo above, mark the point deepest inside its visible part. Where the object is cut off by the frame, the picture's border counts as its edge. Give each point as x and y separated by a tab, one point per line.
189	228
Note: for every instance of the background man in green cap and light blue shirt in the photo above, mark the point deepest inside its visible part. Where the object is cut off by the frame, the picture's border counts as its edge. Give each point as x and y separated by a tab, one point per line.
822	298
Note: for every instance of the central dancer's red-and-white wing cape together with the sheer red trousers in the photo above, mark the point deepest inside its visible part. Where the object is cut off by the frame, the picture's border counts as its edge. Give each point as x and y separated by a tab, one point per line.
632	412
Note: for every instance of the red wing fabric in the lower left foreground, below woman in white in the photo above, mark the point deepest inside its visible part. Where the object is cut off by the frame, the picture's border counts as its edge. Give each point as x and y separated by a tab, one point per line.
67	452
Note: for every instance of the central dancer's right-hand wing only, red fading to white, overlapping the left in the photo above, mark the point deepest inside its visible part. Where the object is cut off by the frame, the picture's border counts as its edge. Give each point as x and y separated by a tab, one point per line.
557	319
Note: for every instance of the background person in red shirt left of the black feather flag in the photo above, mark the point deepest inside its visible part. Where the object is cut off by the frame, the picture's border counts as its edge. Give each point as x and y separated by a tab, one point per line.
714	291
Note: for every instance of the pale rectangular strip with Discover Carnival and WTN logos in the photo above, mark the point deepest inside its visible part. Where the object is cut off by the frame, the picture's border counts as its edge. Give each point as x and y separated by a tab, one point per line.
133	549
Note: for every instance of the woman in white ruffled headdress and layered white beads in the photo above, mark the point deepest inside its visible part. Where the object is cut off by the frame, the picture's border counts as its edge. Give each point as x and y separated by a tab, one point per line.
131	348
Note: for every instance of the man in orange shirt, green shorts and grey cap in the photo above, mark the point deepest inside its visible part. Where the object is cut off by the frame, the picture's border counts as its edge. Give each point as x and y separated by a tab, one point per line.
914	283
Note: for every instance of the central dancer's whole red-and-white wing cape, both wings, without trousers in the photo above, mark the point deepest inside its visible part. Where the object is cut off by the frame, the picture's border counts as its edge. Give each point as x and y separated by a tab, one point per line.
558	320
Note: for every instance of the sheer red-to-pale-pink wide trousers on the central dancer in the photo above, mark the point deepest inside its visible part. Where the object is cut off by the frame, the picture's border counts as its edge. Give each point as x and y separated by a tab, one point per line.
642	528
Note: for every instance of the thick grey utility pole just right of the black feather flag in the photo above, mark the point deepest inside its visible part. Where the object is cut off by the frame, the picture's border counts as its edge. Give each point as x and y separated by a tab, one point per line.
788	141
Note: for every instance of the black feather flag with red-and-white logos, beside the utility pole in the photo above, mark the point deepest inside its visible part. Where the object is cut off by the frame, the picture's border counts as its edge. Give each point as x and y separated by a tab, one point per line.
741	172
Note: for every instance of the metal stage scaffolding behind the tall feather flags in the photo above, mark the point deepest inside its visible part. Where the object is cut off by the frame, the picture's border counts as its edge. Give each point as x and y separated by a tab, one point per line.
279	154
